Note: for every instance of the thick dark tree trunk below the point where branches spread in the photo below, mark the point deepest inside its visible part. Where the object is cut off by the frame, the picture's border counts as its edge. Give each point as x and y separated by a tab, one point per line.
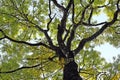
71	71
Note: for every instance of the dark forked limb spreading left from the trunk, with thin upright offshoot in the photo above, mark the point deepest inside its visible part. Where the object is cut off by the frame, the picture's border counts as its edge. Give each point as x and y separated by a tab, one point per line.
25	18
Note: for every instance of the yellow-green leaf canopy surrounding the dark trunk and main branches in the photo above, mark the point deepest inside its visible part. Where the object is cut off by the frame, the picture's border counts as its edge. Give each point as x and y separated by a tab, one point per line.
24	23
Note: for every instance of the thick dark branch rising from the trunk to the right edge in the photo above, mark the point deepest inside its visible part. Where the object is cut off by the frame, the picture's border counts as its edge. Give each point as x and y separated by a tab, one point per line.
96	34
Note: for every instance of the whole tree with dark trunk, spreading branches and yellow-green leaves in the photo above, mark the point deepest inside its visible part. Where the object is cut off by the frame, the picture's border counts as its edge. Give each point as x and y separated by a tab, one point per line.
41	35
